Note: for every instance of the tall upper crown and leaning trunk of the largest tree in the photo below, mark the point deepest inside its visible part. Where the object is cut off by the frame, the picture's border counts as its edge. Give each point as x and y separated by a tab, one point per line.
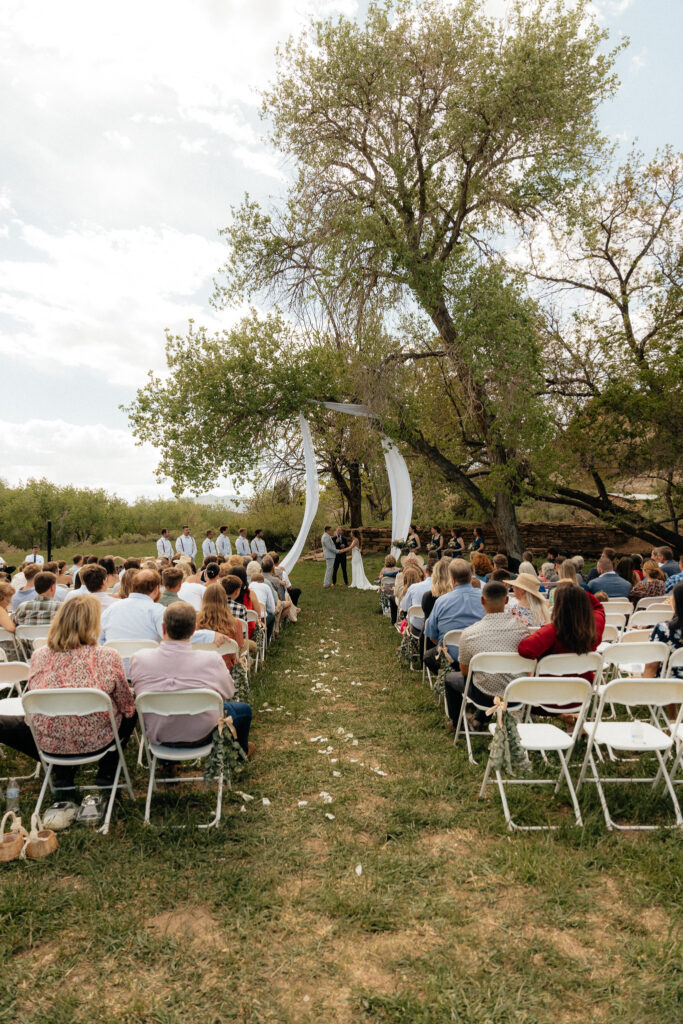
413	137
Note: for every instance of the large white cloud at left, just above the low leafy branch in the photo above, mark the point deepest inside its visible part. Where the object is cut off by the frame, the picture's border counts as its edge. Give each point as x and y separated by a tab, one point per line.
102	298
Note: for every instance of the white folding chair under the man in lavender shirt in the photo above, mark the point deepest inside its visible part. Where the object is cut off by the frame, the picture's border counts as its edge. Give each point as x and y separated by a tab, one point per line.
167	705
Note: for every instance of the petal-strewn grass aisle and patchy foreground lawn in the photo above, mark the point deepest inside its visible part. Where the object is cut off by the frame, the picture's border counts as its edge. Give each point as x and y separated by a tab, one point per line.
403	900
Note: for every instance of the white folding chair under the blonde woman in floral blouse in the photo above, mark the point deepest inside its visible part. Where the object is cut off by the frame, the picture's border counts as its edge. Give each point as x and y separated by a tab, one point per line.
77	702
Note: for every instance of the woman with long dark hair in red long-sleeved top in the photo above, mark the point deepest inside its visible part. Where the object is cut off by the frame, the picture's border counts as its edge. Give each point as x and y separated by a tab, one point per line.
576	627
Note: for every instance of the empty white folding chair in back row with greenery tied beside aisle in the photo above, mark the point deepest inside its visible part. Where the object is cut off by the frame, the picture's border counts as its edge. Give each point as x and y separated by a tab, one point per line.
546	693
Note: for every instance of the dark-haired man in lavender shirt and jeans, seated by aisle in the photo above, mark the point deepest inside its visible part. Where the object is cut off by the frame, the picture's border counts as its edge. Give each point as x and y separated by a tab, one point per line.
175	666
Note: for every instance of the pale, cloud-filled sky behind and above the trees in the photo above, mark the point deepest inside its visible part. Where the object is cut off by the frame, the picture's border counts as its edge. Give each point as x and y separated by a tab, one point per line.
127	133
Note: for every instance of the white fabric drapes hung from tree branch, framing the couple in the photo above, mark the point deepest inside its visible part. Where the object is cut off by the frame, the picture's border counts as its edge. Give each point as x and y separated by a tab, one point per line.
400	485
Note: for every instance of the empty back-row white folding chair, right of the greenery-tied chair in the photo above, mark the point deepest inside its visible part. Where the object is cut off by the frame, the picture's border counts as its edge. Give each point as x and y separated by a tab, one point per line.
635	738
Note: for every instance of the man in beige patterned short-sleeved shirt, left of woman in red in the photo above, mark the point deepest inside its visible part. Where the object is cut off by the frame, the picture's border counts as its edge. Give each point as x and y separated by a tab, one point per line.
496	632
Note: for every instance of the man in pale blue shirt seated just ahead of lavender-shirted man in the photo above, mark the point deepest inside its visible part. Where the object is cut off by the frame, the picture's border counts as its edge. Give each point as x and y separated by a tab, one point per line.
140	616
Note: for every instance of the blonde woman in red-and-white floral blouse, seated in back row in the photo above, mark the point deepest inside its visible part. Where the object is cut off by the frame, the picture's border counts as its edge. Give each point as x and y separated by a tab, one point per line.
73	659
